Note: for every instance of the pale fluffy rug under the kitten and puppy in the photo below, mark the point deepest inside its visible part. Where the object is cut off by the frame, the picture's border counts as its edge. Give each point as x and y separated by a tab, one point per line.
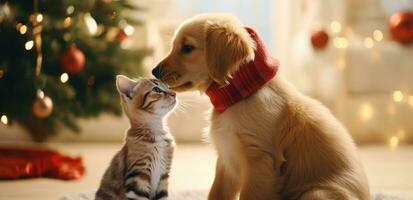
197	195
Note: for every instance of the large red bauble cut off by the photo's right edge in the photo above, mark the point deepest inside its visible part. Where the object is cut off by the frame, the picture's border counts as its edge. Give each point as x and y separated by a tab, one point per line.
401	27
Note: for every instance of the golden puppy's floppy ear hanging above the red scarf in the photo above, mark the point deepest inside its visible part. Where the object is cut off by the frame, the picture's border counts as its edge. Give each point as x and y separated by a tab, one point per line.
227	45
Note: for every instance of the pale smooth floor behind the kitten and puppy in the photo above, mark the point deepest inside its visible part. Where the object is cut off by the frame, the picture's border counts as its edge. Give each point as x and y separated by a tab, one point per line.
389	171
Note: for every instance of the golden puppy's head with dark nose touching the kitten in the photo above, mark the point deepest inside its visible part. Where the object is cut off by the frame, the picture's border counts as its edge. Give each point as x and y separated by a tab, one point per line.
205	48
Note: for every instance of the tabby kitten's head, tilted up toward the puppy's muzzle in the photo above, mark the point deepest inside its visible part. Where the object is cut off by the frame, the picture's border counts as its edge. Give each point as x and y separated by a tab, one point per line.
145	97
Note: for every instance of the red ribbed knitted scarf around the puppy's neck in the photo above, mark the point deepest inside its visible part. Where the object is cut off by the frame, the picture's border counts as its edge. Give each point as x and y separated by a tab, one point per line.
249	78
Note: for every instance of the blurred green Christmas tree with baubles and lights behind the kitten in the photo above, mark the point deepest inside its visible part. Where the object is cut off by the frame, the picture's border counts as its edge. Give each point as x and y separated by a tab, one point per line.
59	58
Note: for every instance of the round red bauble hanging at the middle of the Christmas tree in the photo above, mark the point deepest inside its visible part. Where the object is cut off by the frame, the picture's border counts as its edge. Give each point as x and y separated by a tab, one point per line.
72	60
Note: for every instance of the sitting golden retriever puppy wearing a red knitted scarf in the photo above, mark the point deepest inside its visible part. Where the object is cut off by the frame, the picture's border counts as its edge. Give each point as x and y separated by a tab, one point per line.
272	142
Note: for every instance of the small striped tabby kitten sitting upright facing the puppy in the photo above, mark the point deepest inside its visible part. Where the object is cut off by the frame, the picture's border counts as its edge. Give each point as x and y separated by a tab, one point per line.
140	170
